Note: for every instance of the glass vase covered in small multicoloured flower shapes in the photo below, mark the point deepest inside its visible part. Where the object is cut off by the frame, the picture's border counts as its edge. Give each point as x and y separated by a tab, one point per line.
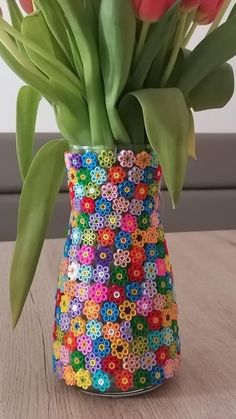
115	330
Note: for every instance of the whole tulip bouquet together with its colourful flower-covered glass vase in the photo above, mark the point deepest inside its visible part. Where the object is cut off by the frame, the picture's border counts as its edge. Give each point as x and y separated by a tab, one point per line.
123	85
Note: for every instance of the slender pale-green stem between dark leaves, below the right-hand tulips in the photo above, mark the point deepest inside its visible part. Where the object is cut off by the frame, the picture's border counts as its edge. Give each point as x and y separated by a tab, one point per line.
177	44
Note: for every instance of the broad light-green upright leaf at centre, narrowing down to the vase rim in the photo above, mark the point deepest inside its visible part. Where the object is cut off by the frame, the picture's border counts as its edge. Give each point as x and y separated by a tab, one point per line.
117	37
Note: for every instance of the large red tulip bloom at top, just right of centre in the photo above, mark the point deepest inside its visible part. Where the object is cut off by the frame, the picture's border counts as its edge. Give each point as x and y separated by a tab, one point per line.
151	10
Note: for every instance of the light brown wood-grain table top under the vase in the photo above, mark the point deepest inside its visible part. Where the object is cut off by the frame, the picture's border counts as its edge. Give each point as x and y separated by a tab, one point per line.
205	387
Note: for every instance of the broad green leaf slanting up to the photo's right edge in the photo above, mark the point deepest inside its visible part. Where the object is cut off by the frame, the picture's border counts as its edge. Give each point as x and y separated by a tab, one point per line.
213	51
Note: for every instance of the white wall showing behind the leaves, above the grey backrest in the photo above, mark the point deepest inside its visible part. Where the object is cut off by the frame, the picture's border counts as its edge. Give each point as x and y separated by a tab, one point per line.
223	120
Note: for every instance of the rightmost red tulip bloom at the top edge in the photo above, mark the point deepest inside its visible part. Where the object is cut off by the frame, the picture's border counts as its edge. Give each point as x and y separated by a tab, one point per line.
207	11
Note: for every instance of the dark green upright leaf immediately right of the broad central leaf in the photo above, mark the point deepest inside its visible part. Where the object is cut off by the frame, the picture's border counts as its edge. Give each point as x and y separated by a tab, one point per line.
160	34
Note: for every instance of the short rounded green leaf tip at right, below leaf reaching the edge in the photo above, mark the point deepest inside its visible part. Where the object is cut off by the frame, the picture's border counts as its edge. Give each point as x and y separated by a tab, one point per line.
214	91
